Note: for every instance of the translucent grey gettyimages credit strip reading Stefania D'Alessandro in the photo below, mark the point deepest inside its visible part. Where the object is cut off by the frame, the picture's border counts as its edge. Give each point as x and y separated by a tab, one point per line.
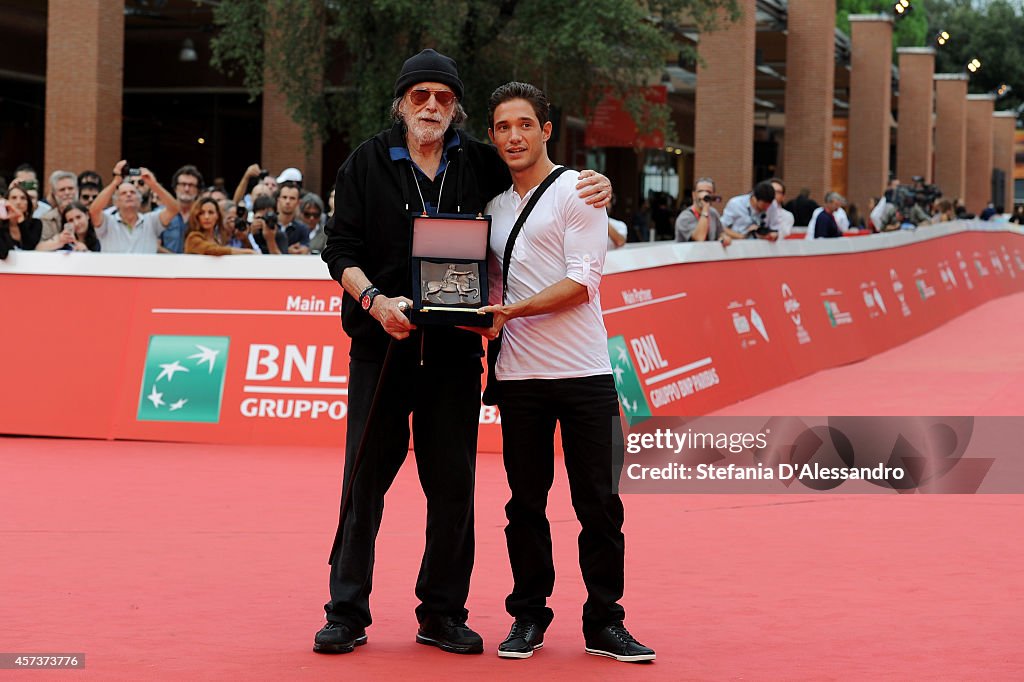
822	455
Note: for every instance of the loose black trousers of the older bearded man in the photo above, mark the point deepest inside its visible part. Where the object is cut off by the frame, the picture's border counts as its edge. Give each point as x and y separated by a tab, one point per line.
445	403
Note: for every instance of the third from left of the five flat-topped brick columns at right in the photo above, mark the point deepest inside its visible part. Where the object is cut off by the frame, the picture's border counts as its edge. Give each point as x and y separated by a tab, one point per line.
951	135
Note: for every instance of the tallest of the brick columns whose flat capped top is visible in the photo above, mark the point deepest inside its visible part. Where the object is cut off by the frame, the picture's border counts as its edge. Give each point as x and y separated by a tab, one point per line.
871	105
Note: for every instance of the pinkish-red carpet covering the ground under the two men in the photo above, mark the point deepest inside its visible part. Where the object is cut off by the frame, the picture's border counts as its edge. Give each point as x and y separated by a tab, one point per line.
172	562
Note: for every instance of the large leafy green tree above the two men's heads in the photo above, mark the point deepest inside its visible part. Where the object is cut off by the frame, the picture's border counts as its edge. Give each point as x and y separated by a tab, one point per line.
574	50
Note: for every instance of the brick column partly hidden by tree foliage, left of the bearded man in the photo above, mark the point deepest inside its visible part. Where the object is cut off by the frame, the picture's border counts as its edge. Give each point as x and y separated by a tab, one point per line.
282	137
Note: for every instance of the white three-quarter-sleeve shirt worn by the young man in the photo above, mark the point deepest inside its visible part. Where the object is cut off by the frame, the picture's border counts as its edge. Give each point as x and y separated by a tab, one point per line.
563	238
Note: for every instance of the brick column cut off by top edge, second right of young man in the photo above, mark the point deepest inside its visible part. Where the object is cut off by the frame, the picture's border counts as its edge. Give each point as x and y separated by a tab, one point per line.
810	81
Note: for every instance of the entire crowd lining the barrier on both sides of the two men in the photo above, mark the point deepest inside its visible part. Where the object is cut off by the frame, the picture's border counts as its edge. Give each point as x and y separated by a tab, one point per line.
274	215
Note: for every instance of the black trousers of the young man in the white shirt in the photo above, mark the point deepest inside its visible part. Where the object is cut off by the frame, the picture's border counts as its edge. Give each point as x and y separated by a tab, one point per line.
587	410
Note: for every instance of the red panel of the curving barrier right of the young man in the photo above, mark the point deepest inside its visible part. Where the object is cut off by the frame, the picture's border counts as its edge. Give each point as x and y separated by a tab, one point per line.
692	338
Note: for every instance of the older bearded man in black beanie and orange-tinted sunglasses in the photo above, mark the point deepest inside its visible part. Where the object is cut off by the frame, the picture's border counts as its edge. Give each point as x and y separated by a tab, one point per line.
423	164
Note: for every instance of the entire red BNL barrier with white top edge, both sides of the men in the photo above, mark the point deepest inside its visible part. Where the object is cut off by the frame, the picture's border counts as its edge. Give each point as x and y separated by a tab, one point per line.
232	351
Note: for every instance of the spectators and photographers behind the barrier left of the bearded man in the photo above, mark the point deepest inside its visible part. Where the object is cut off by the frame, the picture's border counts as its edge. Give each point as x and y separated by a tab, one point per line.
135	214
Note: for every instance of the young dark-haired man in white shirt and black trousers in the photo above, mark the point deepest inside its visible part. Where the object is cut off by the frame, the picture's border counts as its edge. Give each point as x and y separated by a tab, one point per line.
554	368
